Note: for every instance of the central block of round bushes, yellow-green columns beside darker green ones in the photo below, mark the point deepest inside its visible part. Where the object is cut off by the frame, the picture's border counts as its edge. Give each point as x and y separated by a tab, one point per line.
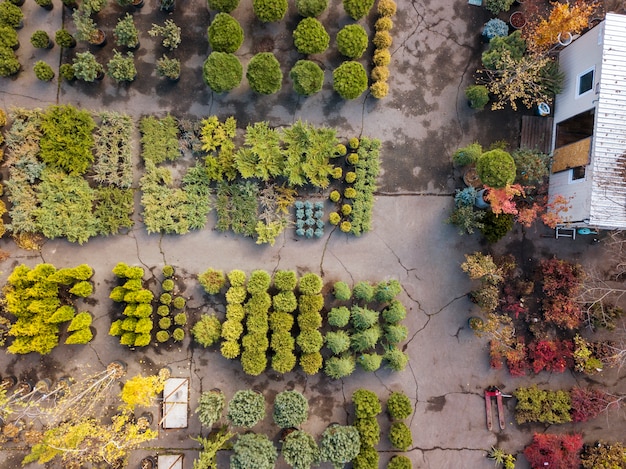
284	316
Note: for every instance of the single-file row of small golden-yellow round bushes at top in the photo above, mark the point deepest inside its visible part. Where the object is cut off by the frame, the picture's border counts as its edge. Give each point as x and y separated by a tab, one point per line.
382	41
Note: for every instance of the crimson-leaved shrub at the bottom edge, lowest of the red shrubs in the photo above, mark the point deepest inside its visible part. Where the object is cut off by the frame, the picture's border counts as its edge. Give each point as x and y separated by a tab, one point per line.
554	451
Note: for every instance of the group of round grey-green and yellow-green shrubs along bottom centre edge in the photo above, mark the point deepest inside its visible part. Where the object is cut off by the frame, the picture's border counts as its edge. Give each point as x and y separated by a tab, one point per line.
339	444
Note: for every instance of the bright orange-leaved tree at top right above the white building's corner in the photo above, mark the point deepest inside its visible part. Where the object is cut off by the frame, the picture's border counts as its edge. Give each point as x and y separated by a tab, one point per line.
542	33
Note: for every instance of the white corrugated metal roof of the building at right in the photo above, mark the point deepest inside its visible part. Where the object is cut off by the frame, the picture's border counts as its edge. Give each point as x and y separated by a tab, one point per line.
608	194
